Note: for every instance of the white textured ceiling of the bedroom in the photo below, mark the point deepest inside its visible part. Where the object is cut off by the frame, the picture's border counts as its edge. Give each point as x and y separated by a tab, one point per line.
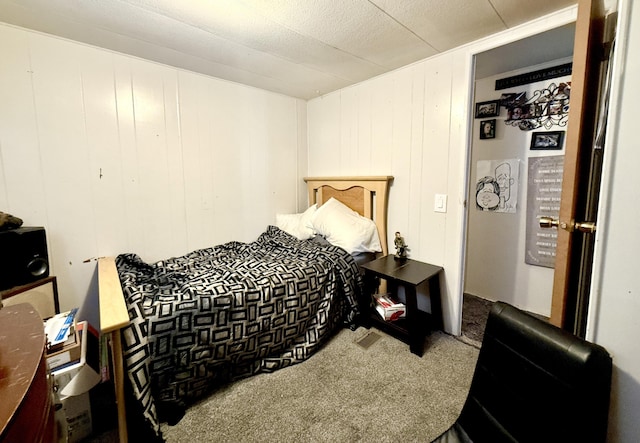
301	48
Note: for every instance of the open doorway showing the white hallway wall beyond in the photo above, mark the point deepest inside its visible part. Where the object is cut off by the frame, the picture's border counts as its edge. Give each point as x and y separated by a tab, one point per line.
496	267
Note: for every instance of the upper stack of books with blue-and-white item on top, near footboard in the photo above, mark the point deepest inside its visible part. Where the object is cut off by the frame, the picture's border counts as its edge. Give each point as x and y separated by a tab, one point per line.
63	343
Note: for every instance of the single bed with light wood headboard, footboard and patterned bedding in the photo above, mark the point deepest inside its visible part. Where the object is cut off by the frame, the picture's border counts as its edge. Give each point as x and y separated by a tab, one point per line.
181	326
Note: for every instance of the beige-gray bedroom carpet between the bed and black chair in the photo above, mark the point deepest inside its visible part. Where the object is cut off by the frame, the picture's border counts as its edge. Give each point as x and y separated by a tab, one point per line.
345	393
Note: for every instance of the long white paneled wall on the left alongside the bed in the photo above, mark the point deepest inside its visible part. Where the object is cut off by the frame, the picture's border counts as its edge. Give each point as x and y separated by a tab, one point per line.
115	154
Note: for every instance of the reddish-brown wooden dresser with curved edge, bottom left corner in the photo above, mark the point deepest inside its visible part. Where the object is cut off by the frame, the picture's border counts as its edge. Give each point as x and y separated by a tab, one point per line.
26	408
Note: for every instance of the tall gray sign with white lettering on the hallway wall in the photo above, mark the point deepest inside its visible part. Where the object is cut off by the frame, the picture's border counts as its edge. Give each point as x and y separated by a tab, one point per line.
543	199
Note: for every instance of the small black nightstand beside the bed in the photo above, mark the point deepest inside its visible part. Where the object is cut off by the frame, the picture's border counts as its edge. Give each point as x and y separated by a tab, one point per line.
409	274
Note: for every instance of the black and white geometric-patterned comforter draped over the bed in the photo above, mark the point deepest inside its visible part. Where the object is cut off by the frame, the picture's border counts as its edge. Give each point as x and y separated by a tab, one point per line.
230	311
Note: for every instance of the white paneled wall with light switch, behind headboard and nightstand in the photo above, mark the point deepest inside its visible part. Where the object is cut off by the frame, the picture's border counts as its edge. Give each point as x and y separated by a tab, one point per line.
403	124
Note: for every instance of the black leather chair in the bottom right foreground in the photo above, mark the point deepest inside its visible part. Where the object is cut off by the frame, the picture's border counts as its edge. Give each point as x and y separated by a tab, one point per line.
534	382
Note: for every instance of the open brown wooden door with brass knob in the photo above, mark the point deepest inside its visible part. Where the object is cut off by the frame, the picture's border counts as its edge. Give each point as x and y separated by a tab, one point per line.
574	247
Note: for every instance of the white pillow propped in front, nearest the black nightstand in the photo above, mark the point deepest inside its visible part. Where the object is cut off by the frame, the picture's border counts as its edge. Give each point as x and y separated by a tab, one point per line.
345	228
